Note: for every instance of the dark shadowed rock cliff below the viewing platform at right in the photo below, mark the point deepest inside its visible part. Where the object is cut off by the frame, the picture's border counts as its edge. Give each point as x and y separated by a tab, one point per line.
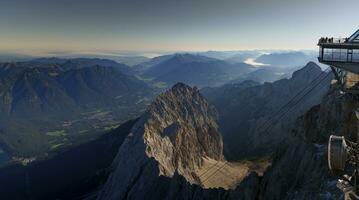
301	170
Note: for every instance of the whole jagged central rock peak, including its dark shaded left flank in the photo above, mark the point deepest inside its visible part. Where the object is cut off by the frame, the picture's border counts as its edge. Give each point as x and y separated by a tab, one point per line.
171	139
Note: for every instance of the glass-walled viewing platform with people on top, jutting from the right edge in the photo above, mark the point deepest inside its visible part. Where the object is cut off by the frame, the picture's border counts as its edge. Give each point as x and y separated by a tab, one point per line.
342	55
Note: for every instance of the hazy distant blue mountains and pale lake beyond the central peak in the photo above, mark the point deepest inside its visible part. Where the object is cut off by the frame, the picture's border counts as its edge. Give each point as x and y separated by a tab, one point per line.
217	68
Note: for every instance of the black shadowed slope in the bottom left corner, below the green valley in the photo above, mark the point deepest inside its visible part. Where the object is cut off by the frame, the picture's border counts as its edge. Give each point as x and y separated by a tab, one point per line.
73	173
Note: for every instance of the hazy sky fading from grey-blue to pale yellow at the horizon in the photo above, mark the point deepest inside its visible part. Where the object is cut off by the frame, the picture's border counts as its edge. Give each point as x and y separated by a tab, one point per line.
171	25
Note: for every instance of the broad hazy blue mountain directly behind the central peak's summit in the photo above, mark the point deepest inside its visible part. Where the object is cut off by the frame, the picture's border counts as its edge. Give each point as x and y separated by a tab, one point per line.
194	70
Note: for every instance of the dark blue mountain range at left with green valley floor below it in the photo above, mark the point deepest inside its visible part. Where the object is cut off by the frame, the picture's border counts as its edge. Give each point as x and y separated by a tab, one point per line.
47	103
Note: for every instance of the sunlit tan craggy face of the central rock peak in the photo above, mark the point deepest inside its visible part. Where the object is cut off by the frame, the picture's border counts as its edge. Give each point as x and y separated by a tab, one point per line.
184	125
